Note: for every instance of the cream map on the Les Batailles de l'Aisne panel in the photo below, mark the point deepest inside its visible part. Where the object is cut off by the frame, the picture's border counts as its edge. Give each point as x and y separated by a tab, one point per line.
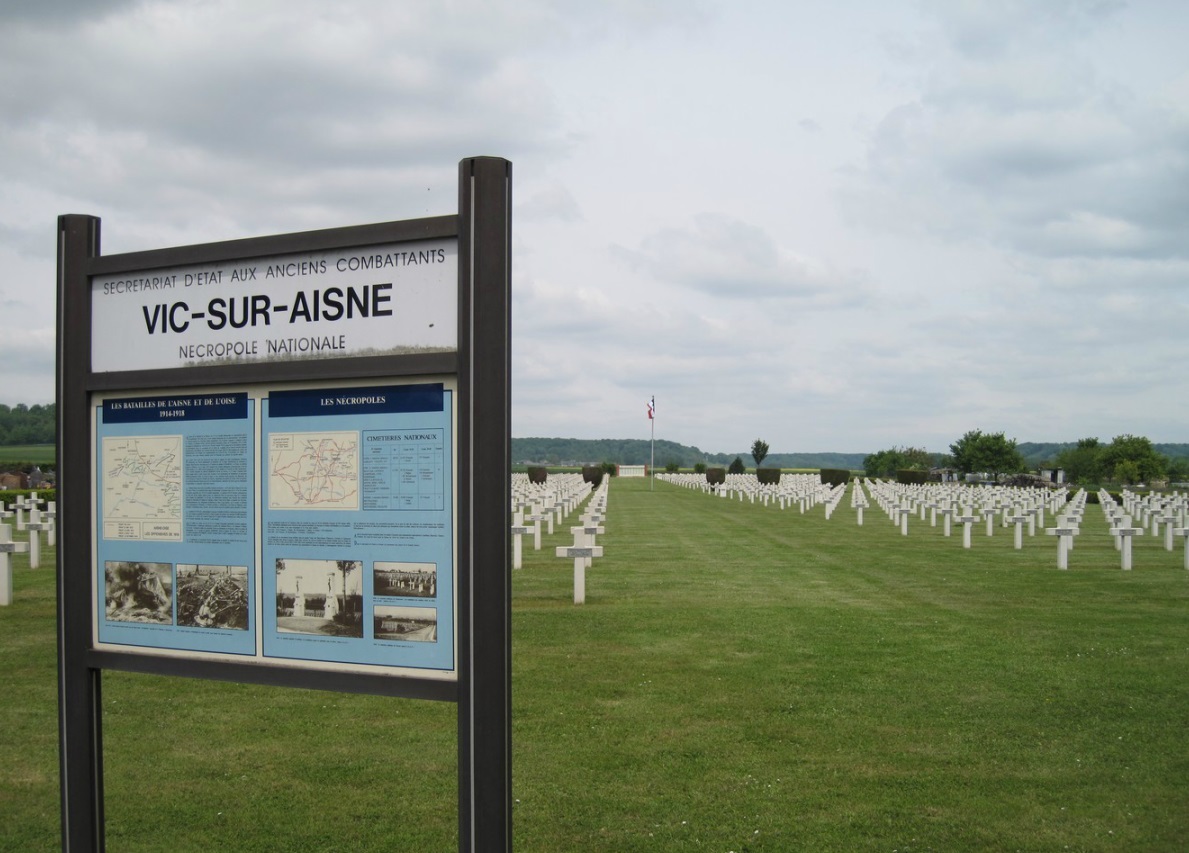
143	479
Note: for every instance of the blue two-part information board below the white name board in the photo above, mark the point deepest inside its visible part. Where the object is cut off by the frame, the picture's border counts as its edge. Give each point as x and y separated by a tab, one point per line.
338	550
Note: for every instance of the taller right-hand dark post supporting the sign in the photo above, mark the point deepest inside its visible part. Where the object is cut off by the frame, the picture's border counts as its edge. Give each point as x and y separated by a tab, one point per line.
485	707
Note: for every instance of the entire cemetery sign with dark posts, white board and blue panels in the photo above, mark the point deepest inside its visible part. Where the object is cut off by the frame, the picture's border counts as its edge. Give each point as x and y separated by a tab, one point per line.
348	338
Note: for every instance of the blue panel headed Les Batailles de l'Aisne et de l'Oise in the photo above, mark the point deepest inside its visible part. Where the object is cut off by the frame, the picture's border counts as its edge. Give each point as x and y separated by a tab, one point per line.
175	522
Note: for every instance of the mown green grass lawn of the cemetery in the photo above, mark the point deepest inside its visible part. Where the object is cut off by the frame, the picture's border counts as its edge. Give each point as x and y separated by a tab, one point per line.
740	679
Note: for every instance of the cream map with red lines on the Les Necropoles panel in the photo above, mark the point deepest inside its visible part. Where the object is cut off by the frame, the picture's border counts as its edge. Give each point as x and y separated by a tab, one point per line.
314	471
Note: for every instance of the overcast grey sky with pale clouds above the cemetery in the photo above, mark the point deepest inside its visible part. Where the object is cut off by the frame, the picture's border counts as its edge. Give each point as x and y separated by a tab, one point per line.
834	227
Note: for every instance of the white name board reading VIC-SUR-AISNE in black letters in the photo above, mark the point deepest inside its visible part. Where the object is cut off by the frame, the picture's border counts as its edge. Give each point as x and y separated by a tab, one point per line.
366	302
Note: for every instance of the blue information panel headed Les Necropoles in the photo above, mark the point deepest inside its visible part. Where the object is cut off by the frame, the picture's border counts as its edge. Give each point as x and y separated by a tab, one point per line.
357	526
